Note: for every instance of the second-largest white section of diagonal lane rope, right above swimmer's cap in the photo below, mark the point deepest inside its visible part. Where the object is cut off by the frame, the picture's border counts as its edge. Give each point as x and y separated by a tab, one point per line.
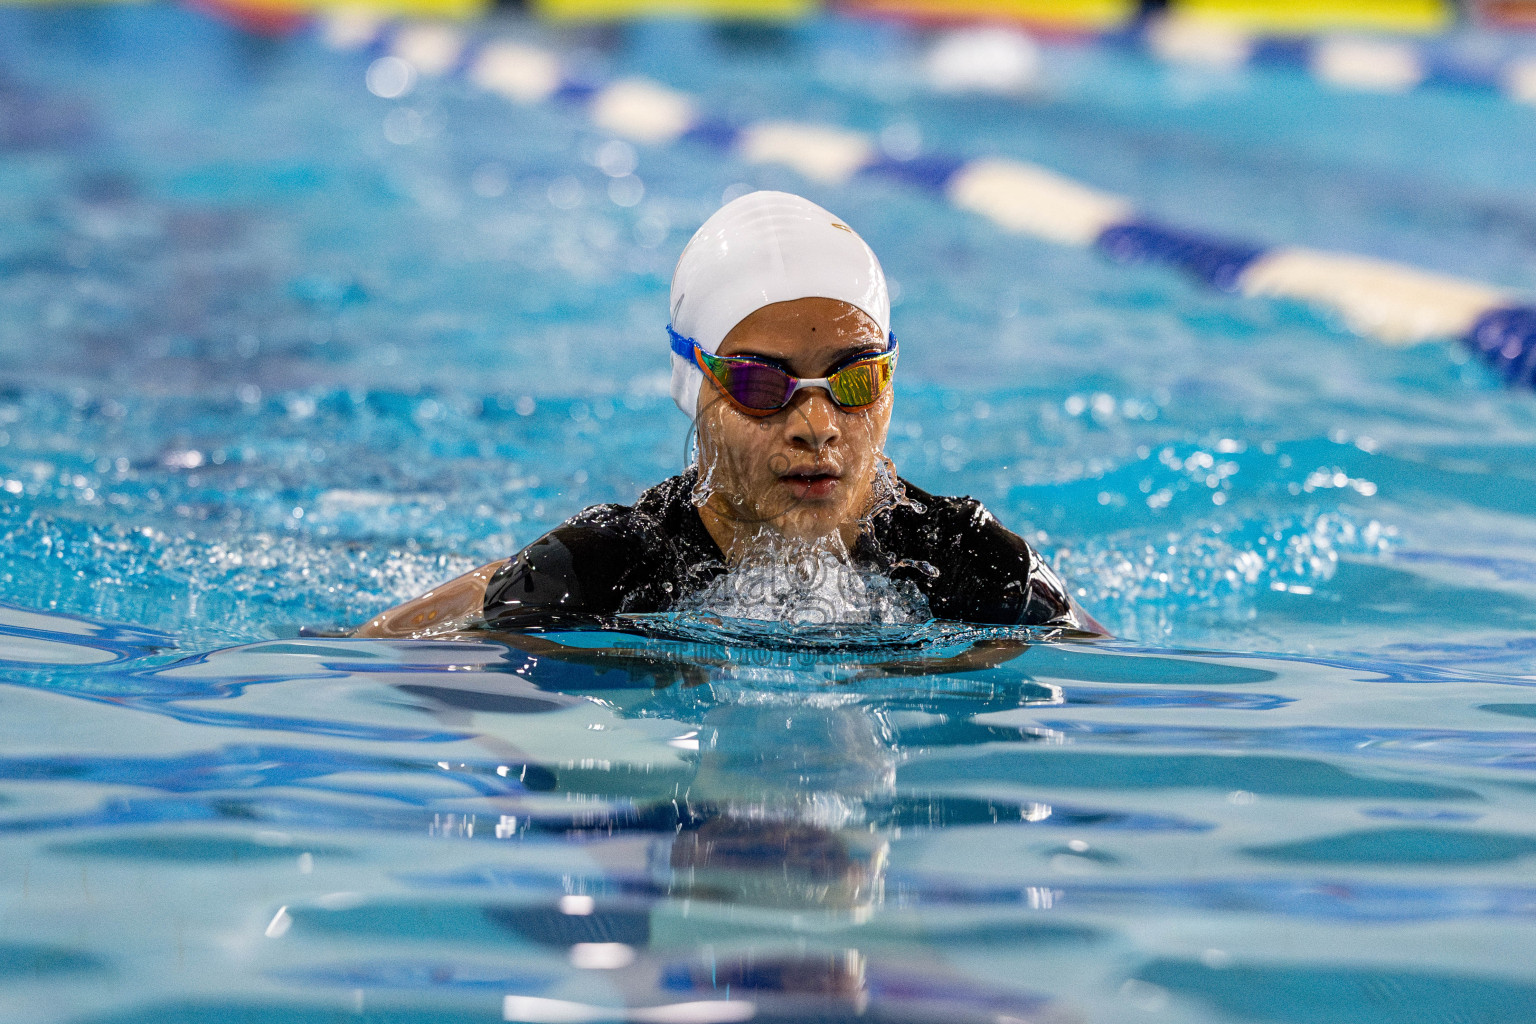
1036	202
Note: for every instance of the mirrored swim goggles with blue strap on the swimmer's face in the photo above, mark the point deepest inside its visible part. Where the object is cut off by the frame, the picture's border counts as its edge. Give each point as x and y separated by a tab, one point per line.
761	389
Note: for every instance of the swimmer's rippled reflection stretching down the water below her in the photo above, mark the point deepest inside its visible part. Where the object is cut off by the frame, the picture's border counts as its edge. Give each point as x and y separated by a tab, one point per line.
783	814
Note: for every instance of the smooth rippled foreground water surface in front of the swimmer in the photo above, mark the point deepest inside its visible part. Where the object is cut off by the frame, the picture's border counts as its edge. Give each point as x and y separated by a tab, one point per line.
700	824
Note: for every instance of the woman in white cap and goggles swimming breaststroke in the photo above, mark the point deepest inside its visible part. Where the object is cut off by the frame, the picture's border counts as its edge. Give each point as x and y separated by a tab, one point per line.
784	358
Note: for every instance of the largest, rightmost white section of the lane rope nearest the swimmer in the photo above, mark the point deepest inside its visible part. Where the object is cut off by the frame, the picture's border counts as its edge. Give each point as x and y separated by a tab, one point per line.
1377	299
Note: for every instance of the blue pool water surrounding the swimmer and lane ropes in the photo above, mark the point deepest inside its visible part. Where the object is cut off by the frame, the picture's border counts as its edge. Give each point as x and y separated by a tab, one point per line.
277	354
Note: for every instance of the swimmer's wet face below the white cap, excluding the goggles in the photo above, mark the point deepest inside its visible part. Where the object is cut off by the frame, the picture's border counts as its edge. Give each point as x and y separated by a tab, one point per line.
809	471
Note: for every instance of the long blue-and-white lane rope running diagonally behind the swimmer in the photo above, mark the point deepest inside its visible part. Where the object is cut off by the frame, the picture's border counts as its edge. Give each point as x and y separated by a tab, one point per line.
1375	299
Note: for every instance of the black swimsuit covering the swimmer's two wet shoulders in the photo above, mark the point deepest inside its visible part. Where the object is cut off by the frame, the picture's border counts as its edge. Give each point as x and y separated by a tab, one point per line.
614	560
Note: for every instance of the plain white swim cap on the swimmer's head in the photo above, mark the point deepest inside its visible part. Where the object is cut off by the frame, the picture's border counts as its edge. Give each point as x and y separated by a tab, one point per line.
756	251
